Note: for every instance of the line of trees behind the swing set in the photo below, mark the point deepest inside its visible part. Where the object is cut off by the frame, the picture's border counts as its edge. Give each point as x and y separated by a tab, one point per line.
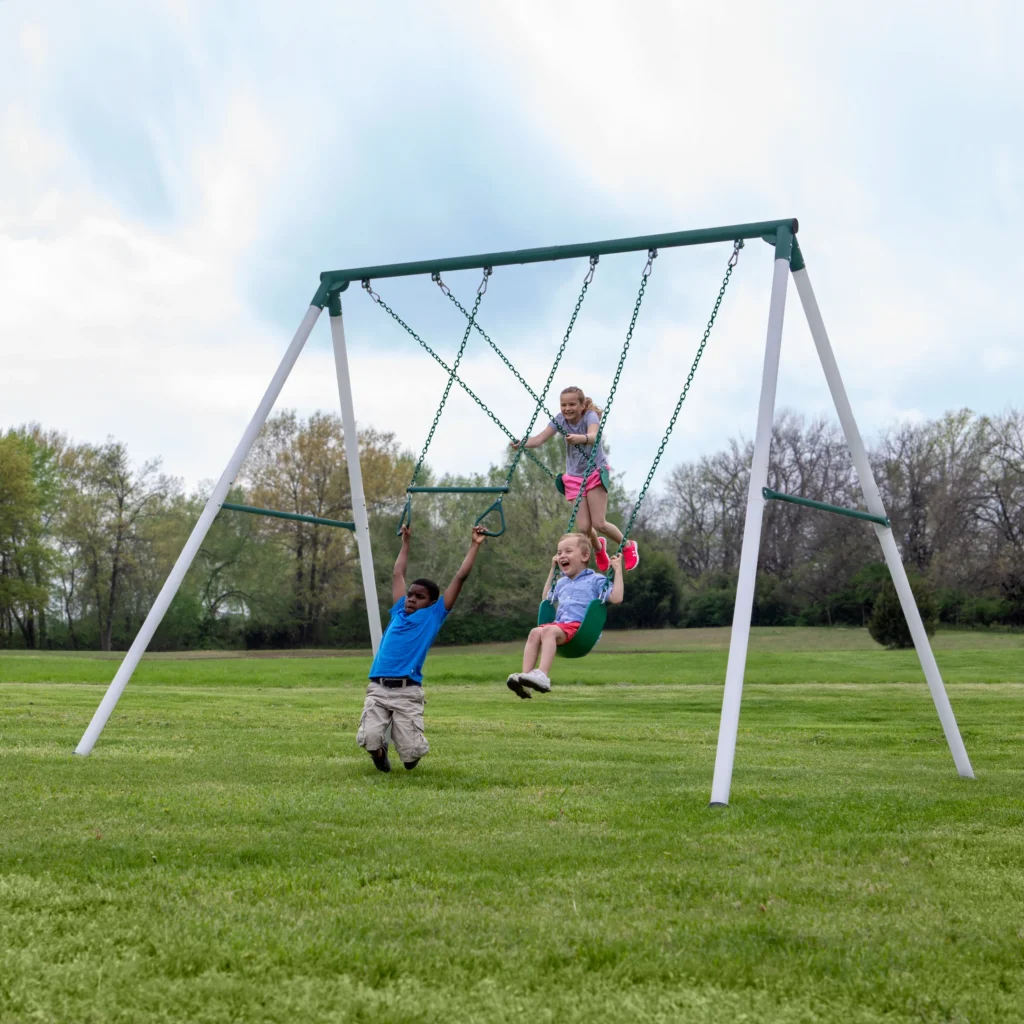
88	537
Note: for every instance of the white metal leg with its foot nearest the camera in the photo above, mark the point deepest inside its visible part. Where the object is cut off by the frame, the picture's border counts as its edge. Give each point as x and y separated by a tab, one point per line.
752	543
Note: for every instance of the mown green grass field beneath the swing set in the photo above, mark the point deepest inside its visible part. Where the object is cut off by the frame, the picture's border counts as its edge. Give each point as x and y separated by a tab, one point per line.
229	855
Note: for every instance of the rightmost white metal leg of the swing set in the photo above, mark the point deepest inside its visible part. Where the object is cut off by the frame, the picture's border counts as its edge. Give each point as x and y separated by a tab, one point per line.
874	501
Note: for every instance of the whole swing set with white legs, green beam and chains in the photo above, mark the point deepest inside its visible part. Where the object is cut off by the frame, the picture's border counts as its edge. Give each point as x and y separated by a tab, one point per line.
789	262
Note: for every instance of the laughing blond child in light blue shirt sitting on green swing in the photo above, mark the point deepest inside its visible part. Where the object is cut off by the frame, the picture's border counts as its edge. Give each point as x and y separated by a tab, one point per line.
578	587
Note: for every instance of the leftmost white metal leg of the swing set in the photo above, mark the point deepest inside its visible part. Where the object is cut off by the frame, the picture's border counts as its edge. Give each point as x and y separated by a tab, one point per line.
174	582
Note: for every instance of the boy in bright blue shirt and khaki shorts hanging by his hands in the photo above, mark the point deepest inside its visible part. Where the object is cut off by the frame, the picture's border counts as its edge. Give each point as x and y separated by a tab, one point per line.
395	697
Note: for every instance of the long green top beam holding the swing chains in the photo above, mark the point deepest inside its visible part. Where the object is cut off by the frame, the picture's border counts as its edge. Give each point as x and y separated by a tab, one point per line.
338	280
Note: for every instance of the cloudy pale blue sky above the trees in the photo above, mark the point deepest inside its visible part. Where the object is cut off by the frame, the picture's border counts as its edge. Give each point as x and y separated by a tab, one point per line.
175	176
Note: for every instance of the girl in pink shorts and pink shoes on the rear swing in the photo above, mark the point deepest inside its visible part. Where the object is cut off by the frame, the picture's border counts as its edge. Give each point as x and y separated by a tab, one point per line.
579	422
